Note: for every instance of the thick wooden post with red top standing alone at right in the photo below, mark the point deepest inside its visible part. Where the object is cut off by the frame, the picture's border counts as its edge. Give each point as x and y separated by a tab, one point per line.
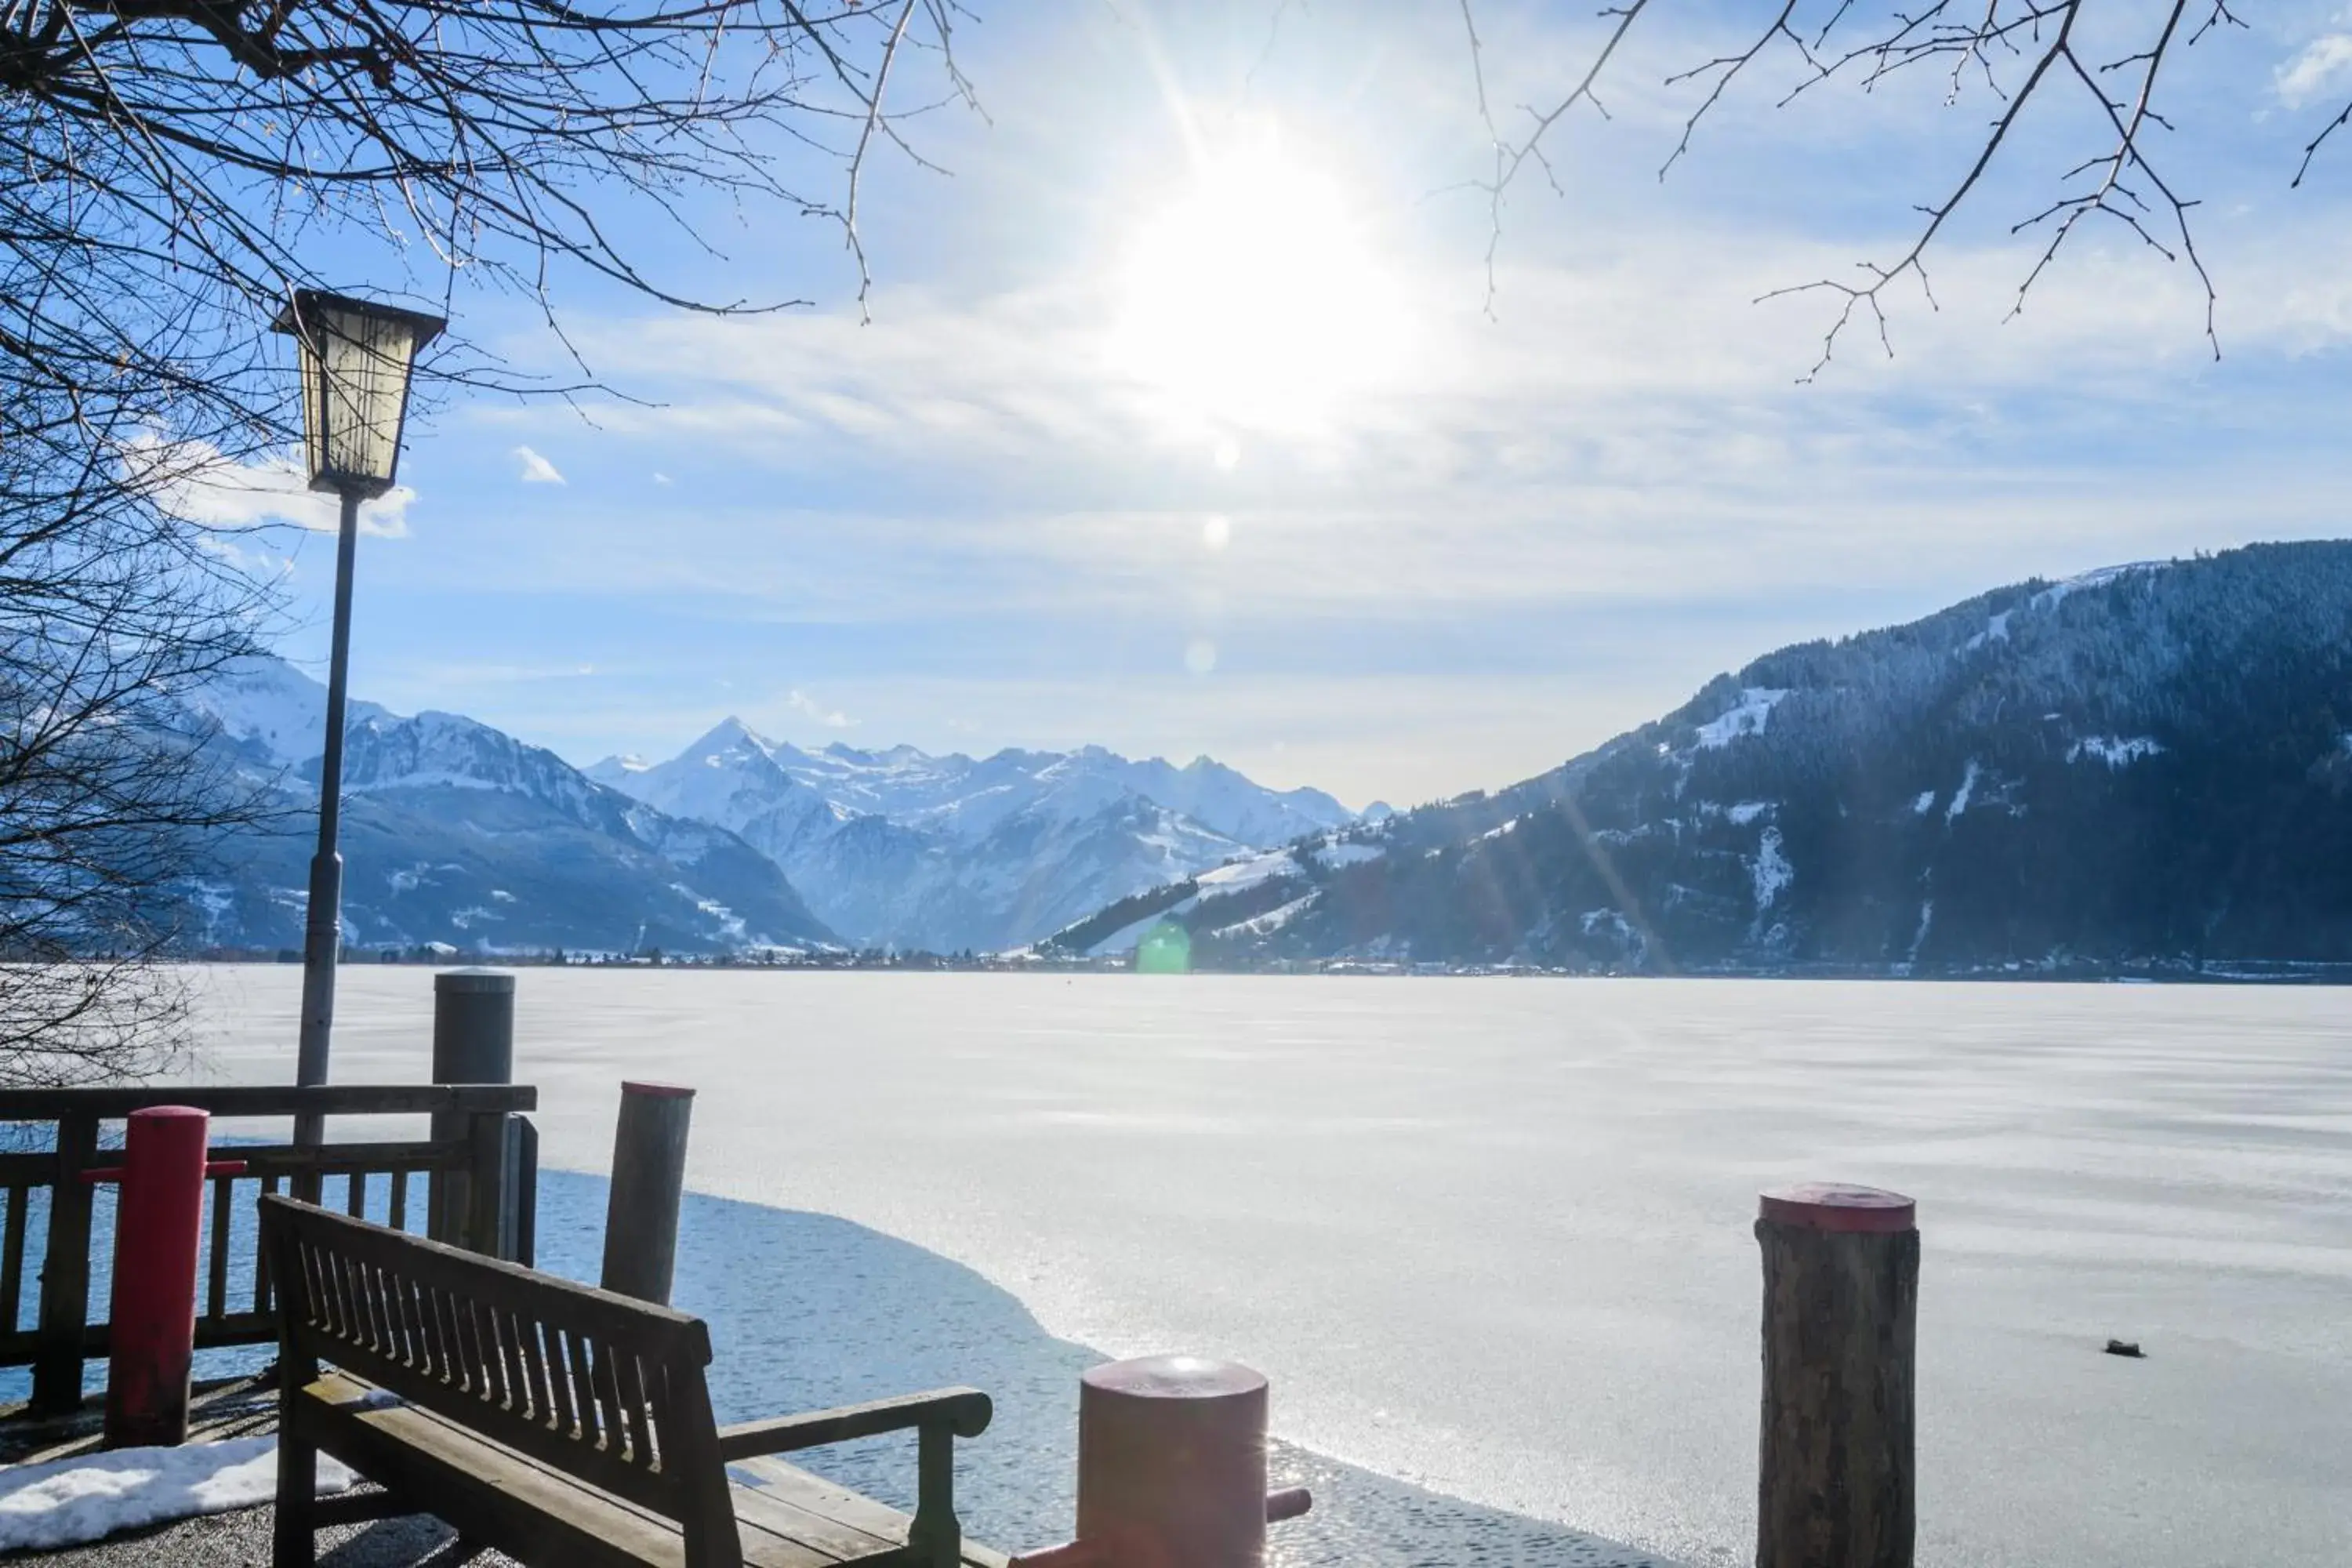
1840	1346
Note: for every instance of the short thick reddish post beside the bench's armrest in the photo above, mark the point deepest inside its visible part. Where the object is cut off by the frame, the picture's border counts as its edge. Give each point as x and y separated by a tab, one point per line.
1172	1468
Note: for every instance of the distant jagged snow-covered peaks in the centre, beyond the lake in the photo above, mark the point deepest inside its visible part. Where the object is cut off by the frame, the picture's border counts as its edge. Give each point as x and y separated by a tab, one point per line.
900	847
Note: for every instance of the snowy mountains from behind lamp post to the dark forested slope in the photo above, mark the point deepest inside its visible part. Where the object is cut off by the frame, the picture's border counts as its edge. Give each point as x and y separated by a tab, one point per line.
457	836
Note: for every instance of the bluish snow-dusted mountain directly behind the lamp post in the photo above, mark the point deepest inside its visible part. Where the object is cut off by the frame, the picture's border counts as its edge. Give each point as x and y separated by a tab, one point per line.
457	833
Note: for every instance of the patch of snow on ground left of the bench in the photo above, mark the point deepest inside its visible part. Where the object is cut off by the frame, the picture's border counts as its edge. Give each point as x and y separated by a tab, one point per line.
93	1496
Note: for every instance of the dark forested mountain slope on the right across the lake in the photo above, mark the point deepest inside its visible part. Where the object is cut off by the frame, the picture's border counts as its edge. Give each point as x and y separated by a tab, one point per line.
2139	768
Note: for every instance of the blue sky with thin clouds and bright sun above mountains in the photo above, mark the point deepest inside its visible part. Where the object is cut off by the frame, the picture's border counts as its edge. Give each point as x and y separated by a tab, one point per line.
1361	532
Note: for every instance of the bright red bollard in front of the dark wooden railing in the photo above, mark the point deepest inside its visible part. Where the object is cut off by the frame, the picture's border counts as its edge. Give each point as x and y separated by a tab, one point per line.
156	1242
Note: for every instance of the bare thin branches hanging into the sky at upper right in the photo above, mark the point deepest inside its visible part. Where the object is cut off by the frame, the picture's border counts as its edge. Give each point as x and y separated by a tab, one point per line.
2017	58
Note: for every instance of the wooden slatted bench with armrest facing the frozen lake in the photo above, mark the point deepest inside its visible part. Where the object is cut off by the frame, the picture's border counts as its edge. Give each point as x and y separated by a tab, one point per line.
556	1423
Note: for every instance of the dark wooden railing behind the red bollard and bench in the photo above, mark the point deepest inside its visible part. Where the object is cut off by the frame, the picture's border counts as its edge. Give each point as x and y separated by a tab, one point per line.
479	1167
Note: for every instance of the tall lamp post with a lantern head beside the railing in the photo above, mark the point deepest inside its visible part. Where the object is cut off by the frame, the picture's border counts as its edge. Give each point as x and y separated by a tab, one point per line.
356	363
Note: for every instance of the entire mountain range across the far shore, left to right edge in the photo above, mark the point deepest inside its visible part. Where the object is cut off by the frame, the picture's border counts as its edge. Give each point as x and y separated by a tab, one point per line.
2139	768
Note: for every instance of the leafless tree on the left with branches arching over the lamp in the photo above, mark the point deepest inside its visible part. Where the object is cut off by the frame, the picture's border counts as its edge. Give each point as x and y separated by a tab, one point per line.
171	173
